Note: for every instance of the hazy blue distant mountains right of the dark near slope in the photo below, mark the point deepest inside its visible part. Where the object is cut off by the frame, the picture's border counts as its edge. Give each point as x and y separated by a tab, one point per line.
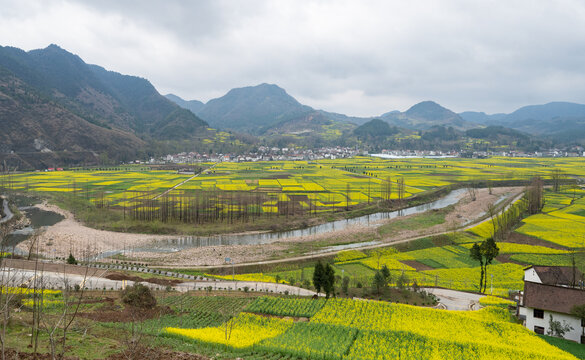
258	109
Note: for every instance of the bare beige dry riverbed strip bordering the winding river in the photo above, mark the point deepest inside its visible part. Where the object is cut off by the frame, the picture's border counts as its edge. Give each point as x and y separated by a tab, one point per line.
70	235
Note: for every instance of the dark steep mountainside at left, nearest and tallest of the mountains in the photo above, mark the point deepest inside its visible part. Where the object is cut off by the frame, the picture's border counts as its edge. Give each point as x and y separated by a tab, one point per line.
54	106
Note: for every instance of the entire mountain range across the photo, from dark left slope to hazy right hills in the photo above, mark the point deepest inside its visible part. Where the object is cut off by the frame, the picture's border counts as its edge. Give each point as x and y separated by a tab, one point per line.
56	108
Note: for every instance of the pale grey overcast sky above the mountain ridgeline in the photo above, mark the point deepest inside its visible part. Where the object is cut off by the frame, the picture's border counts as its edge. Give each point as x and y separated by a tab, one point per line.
359	58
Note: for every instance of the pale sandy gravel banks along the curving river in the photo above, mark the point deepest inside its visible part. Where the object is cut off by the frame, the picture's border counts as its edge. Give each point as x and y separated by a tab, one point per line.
70	235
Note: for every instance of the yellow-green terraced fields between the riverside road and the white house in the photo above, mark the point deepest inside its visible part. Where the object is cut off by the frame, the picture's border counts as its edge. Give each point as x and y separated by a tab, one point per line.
444	261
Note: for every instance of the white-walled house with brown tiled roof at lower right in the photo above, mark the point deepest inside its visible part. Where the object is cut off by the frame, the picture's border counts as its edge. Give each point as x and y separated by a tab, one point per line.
550	291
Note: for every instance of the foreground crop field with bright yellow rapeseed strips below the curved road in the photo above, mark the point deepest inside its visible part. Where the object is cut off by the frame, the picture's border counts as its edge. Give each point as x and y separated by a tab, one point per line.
231	325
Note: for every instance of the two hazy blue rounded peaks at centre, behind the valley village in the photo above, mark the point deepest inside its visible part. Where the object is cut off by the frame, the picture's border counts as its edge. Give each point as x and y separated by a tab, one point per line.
269	108
